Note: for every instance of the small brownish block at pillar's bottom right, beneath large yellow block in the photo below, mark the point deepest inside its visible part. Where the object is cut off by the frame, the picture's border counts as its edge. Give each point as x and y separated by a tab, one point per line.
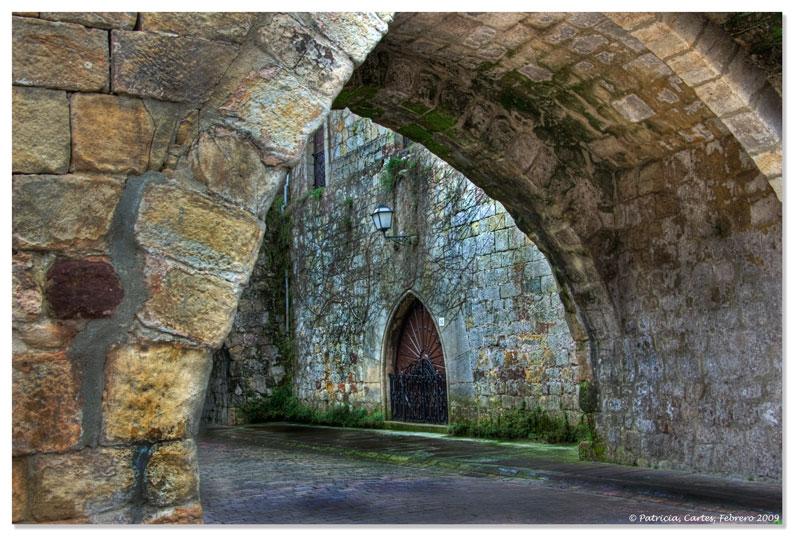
172	474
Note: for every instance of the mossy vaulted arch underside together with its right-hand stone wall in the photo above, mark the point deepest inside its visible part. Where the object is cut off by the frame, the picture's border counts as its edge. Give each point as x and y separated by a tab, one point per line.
603	137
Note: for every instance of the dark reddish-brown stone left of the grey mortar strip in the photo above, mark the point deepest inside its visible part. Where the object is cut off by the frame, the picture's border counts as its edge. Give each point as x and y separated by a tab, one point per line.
83	289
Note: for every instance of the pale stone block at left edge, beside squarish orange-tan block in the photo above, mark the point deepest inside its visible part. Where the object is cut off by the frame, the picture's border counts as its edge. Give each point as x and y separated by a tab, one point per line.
40	133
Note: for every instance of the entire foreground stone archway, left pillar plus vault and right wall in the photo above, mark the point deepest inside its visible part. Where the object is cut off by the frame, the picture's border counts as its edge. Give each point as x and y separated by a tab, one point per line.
655	210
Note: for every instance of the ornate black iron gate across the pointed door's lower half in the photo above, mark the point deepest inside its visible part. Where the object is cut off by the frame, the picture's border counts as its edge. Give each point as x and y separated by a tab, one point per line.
419	394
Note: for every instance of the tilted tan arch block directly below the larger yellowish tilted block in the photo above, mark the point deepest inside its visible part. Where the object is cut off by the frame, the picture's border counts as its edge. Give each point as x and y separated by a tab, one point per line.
200	307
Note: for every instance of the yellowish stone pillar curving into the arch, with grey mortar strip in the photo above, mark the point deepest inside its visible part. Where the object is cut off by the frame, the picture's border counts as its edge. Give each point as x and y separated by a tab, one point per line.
138	213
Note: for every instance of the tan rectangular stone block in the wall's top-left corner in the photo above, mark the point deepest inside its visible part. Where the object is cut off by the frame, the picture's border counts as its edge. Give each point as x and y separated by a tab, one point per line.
59	55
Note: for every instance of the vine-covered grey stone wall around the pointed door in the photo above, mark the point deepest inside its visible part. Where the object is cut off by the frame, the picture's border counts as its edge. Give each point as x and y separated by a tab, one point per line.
489	289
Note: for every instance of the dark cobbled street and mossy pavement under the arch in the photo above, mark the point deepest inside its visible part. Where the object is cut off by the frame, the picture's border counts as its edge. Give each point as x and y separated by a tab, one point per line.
286	474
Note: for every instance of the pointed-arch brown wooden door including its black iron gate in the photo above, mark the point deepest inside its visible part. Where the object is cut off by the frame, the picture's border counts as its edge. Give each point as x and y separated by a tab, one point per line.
418	387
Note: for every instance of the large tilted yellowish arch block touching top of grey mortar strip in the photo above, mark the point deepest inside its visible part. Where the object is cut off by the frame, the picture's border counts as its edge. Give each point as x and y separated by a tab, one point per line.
193	229
